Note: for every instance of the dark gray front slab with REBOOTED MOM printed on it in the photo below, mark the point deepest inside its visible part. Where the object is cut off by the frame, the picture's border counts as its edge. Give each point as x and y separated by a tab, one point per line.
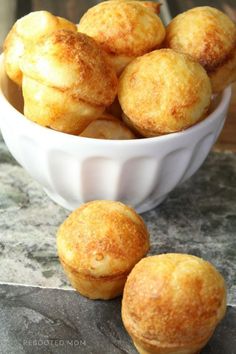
38	321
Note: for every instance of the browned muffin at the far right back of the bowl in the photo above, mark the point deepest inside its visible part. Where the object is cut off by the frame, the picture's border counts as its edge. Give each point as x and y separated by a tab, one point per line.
209	36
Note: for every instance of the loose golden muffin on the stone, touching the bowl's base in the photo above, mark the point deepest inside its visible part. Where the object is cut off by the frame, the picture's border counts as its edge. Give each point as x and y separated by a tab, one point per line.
98	245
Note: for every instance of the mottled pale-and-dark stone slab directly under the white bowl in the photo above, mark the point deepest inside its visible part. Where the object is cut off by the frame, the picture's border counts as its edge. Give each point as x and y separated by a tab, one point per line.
199	218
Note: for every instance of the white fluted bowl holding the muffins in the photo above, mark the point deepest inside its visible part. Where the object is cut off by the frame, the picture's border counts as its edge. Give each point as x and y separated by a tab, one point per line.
73	169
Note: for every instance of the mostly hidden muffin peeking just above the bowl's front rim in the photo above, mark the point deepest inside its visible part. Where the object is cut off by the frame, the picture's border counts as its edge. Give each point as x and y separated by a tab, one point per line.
108	127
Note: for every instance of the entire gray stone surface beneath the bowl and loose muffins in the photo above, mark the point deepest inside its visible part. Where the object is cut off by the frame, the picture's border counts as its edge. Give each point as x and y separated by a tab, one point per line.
199	218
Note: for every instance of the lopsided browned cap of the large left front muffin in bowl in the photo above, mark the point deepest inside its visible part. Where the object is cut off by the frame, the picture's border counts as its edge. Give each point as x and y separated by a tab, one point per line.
74	61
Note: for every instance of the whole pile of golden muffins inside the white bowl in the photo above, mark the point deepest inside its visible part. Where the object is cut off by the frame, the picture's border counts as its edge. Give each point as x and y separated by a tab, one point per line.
119	73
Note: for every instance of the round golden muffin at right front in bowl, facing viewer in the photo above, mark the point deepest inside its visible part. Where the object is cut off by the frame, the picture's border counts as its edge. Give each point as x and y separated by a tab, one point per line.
164	92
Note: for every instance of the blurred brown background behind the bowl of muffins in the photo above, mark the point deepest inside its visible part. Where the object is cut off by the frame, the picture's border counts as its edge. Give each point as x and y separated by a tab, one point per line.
11	10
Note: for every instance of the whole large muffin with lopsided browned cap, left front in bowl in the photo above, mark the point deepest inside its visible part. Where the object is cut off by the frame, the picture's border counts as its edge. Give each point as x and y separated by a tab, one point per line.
67	81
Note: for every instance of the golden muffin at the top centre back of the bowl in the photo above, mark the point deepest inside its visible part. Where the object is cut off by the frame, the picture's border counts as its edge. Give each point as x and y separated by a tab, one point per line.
125	30
